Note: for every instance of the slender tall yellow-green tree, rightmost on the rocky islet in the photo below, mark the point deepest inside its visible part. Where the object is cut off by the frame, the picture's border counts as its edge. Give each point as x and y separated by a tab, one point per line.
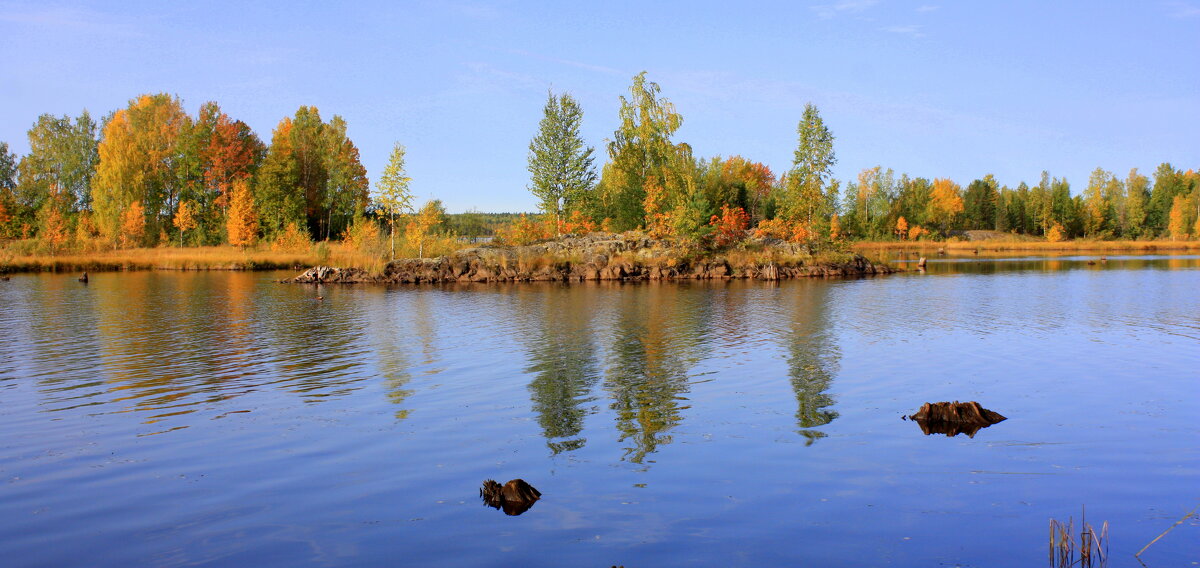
806	196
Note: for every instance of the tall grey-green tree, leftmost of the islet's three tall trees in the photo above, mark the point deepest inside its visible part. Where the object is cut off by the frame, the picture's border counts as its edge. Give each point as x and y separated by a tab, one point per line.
561	171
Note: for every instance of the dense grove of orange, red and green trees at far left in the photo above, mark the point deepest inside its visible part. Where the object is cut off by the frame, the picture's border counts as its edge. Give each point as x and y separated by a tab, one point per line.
151	174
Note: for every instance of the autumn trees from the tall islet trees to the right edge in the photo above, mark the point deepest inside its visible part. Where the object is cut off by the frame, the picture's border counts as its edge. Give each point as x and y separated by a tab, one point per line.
652	182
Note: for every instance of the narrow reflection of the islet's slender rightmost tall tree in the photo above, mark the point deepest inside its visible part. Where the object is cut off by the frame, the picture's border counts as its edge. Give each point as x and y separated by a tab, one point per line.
813	358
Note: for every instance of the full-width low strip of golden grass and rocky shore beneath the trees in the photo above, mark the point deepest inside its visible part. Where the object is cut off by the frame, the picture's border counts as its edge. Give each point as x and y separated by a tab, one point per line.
637	252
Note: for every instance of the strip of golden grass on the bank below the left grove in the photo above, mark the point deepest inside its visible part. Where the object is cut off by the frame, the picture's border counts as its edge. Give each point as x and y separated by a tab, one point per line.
190	259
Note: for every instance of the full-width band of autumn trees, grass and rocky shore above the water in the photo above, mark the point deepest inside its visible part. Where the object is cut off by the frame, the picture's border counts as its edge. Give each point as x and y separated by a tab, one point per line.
152	187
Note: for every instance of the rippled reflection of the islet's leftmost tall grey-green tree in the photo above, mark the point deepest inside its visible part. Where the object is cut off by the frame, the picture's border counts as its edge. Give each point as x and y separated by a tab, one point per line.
563	361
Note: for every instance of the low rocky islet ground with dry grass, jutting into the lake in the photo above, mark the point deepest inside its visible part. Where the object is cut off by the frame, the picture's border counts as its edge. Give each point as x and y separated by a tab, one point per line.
611	258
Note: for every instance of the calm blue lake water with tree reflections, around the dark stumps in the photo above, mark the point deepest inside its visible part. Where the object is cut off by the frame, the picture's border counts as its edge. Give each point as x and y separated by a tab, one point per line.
217	418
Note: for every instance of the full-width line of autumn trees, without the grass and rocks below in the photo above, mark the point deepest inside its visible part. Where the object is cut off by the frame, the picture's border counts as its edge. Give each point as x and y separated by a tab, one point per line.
151	175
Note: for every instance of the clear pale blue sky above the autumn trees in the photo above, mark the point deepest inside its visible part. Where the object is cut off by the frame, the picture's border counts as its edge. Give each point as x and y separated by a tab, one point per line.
933	88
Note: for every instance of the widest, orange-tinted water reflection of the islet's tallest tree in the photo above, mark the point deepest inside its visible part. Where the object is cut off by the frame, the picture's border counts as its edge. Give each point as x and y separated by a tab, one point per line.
653	348
